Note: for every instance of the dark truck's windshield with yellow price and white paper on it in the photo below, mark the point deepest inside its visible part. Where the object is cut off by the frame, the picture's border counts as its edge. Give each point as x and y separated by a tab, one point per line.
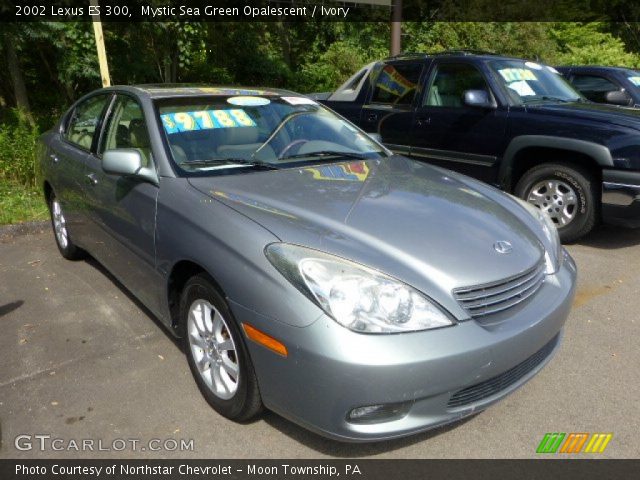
529	82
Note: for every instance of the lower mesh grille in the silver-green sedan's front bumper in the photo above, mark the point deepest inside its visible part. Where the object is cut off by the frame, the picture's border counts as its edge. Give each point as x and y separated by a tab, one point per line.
499	383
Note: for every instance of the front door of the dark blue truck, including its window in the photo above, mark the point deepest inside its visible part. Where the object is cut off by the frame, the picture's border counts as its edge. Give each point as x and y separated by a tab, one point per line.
451	134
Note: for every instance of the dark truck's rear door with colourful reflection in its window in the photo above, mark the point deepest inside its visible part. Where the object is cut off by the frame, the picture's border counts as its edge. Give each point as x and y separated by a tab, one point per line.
389	112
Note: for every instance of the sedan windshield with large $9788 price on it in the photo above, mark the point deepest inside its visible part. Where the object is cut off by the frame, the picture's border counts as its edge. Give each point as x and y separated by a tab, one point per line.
233	134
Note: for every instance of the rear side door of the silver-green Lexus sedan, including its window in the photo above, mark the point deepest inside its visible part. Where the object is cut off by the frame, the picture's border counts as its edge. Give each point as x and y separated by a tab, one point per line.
68	154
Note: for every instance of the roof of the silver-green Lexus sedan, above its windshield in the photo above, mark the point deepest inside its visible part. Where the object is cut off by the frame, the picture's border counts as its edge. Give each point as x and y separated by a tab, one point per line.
173	90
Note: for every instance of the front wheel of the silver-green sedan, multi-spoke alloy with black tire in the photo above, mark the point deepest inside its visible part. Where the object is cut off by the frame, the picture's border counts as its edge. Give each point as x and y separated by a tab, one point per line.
216	352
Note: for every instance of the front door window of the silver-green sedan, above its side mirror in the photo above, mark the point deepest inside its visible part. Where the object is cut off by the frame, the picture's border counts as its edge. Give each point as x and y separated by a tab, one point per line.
128	129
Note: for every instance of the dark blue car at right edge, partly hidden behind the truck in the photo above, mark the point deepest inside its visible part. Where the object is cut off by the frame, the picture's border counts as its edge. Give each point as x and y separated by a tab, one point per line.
613	85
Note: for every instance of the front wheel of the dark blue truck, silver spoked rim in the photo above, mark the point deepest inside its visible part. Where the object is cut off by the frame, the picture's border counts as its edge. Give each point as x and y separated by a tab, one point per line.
567	193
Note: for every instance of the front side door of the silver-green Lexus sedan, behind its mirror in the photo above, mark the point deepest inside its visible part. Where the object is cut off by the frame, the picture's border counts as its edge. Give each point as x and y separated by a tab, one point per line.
123	208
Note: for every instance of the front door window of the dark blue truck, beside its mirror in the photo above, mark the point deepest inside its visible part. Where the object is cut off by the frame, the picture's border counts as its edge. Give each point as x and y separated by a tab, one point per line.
450	82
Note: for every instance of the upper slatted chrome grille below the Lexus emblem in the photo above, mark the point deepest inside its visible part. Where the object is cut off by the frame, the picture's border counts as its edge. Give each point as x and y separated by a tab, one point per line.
489	298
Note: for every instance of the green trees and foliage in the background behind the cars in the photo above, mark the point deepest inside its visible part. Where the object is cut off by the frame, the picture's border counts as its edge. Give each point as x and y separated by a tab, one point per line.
58	62
